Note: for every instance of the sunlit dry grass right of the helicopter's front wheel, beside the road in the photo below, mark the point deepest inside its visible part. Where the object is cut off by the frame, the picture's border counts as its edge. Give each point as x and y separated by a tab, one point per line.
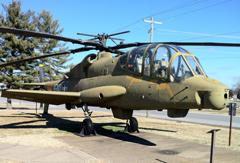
191	132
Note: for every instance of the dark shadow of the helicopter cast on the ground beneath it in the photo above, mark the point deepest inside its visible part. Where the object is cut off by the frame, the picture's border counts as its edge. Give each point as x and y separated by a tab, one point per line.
75	127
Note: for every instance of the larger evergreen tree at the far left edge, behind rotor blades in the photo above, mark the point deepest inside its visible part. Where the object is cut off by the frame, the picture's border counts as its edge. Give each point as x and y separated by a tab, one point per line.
16	47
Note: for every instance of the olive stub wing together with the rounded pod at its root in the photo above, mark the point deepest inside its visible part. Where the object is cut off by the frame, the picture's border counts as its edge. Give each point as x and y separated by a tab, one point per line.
92	96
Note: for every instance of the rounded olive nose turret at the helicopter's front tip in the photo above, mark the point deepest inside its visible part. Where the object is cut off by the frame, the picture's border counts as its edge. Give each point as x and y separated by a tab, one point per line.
216	100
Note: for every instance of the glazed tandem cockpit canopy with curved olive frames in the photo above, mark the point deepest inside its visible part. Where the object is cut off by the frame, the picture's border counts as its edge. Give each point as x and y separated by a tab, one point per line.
167	62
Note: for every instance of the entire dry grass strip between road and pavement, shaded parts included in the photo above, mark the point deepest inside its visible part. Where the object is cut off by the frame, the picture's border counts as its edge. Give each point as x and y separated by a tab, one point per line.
27	128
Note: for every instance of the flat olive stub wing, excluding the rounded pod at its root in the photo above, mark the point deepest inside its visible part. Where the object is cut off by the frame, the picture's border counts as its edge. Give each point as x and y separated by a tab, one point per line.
50	97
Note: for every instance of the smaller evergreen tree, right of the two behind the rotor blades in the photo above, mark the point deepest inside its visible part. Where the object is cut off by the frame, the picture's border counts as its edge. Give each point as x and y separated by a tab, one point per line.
52	66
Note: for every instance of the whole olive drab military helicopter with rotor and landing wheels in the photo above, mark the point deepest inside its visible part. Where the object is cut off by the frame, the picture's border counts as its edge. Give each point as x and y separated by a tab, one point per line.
151	76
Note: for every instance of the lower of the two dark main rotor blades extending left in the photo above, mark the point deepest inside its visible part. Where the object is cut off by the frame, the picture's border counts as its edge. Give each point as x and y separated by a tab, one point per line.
45	56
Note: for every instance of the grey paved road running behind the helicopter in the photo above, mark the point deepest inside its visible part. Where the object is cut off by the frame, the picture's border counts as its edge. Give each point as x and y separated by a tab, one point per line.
202	118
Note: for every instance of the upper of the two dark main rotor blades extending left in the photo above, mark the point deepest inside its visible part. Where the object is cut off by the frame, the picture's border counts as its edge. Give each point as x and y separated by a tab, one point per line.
44	35
